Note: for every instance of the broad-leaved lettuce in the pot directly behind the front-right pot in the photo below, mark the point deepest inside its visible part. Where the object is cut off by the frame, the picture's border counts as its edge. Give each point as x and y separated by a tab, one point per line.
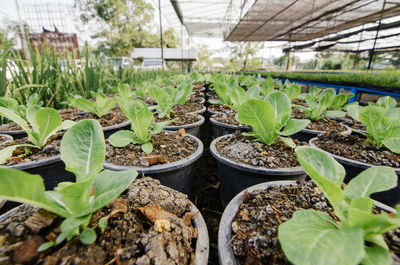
270	119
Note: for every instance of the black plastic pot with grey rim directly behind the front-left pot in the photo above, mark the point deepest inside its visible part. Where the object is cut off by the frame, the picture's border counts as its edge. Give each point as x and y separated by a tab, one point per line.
176	175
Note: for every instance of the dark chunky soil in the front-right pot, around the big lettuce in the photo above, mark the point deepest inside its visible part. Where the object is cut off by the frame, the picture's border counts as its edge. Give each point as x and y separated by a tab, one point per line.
255	226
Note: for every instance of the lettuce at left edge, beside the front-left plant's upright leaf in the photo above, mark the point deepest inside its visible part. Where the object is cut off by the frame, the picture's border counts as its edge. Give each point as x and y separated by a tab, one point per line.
39	124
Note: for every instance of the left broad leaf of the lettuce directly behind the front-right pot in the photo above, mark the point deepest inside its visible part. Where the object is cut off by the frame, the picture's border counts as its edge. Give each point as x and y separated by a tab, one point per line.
261	117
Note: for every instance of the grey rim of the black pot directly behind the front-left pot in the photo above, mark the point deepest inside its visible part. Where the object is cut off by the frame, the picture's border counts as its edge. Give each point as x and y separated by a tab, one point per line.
162	167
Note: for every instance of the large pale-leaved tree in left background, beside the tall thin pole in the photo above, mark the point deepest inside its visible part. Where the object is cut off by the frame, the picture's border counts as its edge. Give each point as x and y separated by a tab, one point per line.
125	24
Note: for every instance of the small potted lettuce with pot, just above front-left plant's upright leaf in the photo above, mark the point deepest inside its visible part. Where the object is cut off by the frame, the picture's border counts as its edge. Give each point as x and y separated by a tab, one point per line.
103	109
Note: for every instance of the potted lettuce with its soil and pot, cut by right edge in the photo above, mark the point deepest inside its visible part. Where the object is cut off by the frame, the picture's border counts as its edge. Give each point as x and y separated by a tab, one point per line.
377	146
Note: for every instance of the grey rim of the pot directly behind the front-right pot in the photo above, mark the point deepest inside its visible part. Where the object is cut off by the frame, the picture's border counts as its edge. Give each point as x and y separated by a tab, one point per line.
255	169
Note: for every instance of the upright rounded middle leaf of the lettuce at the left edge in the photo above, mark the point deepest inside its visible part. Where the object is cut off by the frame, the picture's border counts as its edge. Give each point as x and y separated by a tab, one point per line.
47	120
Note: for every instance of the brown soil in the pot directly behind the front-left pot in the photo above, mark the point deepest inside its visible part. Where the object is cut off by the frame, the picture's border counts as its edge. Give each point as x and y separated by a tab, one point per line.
167	147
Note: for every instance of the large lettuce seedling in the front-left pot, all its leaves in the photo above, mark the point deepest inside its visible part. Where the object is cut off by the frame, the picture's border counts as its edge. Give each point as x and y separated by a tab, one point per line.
83	152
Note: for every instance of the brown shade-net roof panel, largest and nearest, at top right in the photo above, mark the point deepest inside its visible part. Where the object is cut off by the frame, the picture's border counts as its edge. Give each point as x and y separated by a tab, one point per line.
303	20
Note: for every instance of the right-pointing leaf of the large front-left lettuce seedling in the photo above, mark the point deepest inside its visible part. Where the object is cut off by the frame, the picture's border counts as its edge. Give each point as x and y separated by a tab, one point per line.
108	185
